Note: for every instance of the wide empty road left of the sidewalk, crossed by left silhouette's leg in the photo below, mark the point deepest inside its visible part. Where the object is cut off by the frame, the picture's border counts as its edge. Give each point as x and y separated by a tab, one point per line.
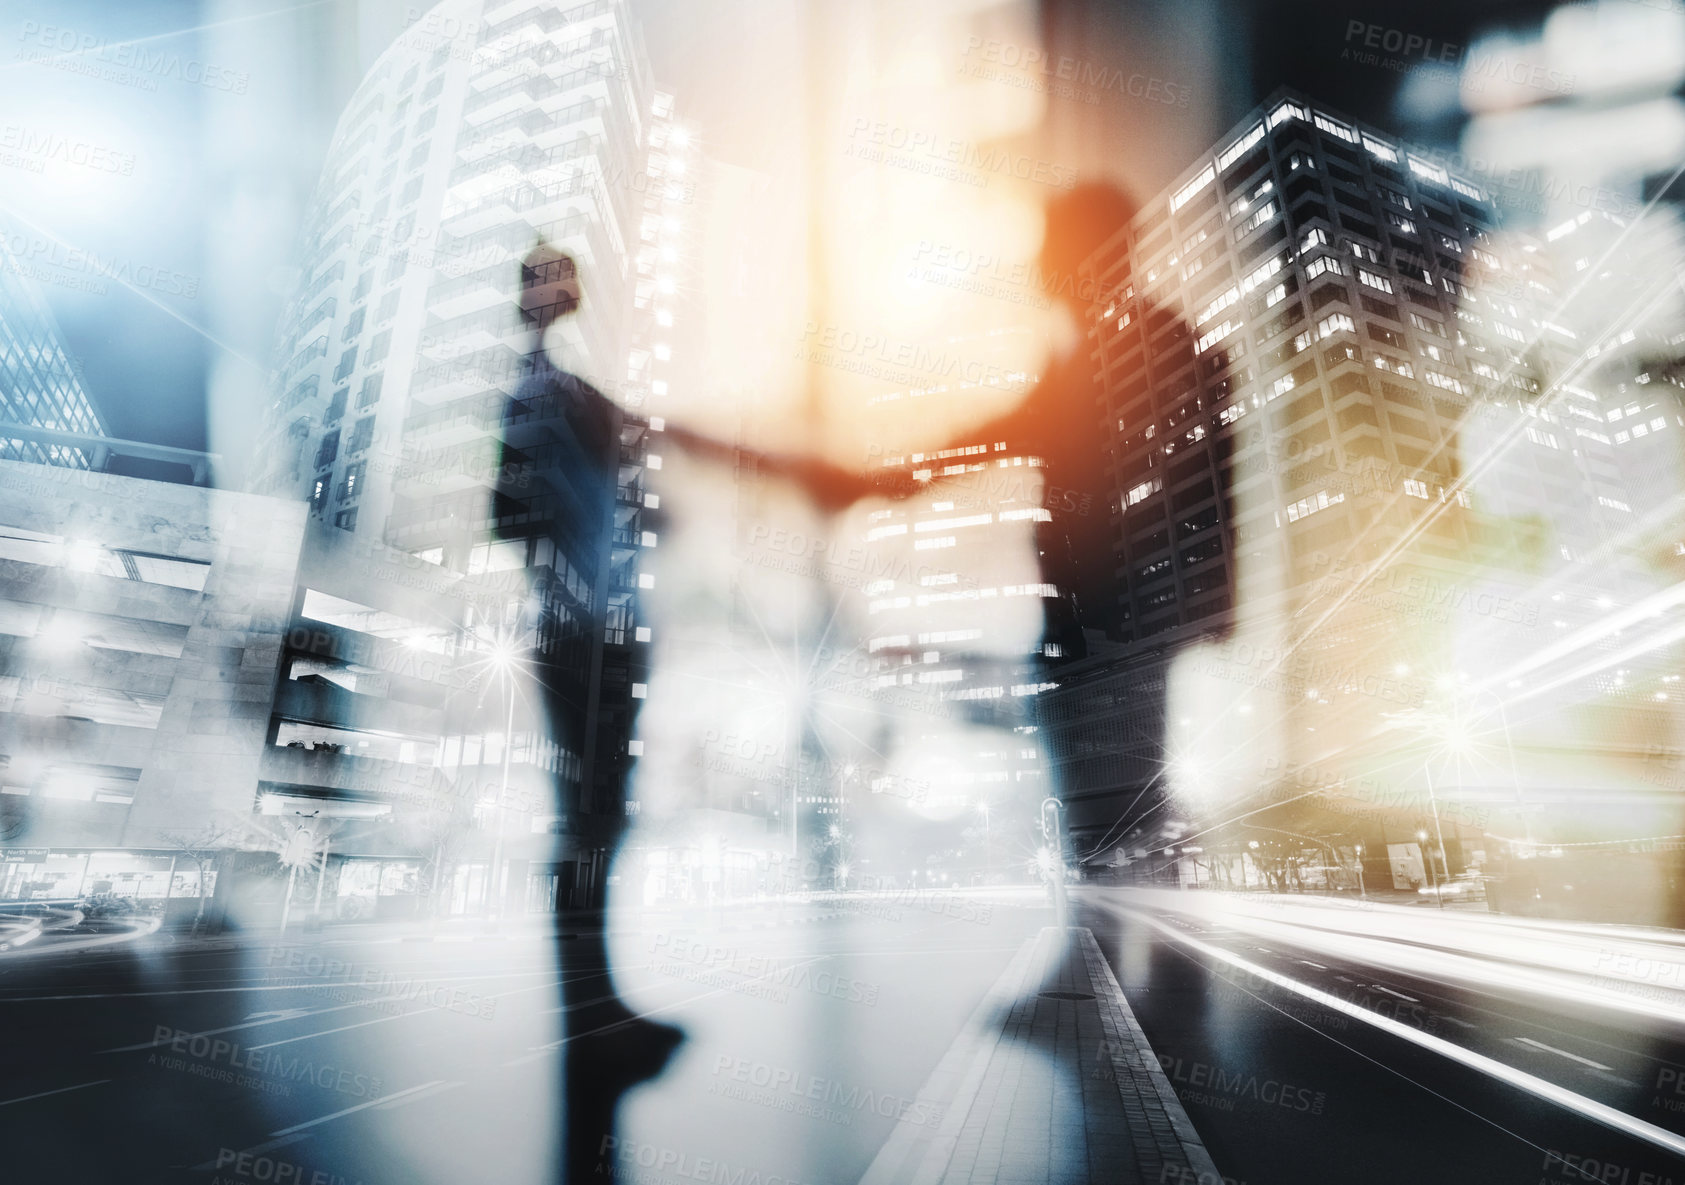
395	1061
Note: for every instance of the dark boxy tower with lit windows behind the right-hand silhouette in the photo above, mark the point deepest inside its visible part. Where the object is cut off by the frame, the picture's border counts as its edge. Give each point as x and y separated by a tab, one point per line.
1347	461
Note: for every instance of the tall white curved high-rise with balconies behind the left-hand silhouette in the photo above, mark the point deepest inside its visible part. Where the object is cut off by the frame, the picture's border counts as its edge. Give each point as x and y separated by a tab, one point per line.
474	517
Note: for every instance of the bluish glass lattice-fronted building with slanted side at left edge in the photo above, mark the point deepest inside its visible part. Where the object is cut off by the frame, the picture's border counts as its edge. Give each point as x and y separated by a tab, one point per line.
38	382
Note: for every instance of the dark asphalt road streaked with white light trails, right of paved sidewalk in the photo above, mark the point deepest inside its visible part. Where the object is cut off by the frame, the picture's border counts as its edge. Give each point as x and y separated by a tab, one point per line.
1305	1054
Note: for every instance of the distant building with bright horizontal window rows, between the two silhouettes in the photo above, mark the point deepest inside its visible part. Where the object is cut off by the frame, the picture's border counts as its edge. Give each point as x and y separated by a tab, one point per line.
963	619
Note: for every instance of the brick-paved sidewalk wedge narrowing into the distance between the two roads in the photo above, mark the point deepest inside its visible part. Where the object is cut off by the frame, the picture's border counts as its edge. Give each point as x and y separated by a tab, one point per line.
1052	1083
